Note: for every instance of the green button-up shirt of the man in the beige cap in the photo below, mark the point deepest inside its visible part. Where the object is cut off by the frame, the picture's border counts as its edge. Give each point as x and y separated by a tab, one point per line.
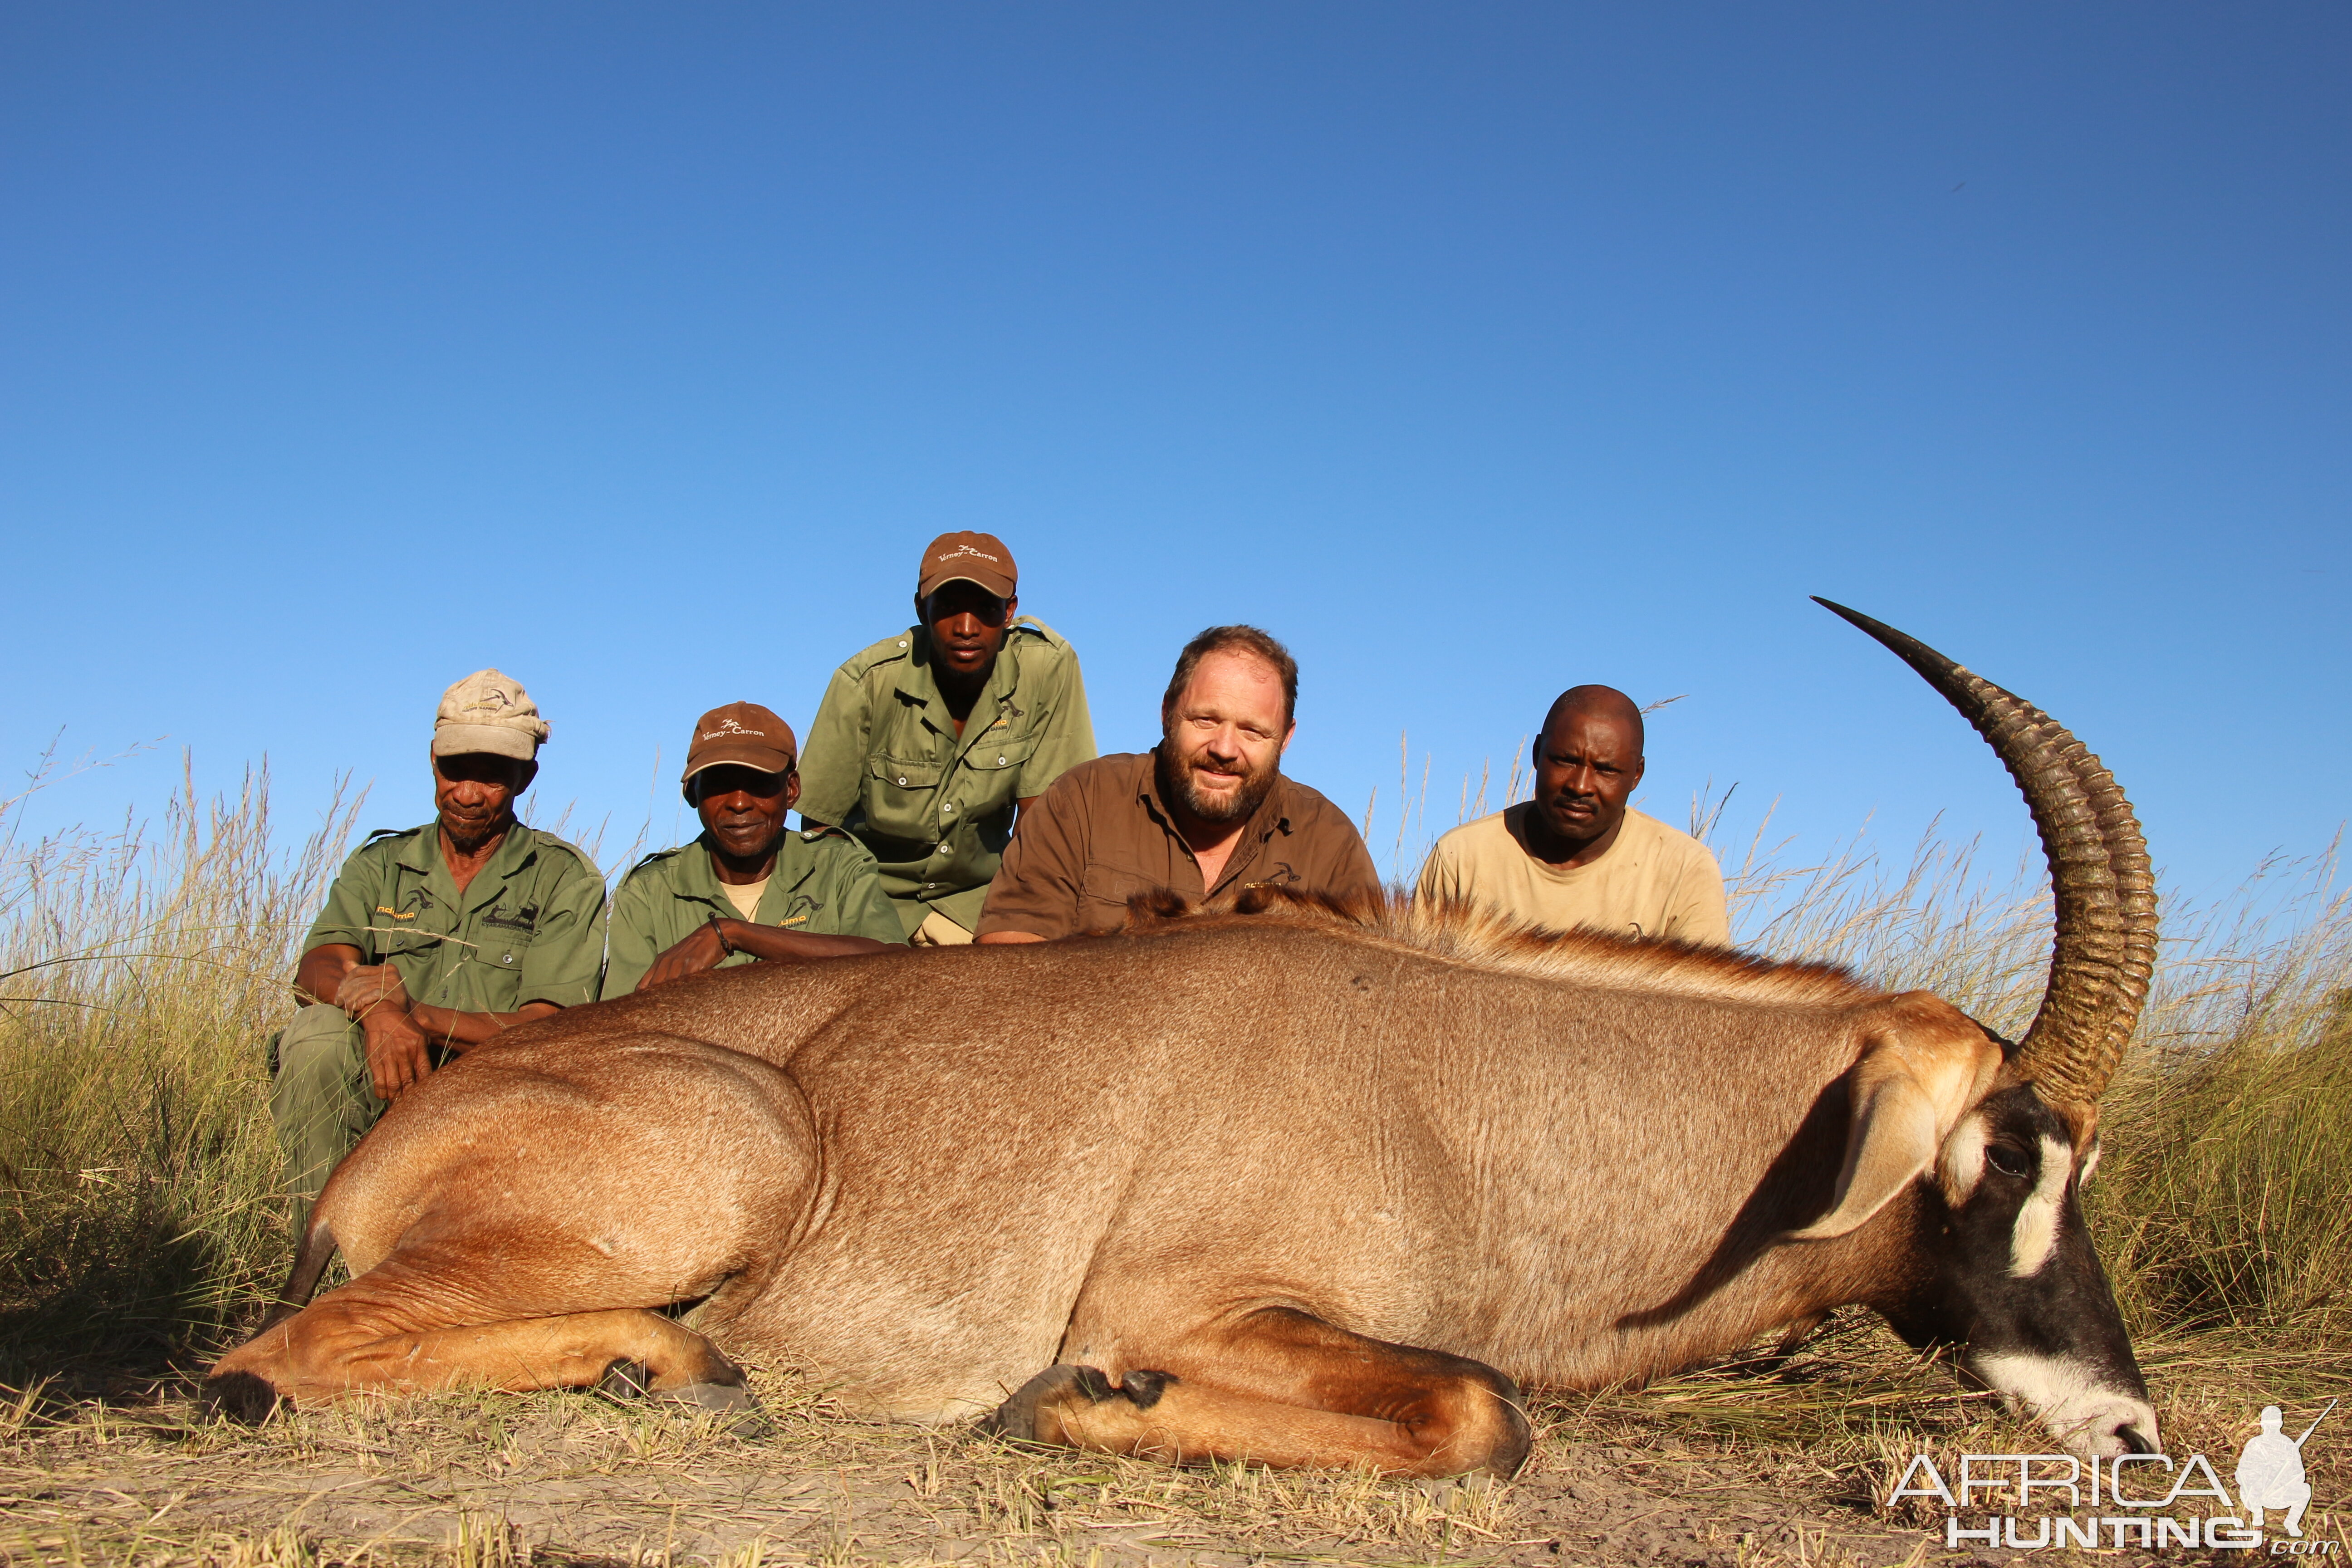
530	927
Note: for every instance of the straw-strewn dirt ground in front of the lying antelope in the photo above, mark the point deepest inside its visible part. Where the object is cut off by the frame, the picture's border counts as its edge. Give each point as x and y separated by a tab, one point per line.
1744	1466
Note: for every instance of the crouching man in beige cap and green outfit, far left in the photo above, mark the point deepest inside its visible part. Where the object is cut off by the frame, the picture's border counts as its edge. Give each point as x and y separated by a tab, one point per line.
436	939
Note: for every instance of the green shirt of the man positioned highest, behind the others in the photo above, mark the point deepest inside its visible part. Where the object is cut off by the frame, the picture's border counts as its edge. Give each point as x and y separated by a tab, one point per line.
935	808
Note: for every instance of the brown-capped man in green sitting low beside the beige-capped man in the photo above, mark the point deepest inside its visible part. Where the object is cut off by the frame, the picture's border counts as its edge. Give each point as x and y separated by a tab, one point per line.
747	890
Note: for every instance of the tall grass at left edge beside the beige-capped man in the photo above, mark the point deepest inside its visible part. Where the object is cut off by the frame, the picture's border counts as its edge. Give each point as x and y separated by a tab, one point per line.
140	979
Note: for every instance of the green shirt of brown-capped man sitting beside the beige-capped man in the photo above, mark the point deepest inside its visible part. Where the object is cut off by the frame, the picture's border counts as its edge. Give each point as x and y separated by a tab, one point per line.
824	885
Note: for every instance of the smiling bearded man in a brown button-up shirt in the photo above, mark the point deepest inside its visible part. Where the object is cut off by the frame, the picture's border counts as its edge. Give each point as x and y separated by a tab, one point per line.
1203	812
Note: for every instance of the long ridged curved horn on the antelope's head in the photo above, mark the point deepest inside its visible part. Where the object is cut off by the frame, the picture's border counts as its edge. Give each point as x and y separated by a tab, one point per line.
2102	880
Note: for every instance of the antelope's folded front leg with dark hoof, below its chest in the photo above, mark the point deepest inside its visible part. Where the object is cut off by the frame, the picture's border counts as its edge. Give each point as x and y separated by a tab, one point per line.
1290	1391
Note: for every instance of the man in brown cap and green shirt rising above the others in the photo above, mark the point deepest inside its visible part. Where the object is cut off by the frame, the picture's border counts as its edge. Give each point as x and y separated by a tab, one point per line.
930	742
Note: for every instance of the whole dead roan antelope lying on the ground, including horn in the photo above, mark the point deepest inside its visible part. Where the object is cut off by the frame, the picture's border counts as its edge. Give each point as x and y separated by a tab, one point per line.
1267	1181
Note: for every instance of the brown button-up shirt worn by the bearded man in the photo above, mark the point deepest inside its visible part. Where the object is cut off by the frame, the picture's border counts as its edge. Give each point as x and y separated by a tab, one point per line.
1102	836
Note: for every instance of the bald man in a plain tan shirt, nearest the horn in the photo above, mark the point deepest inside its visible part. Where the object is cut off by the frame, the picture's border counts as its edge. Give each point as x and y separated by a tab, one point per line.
1579	855
